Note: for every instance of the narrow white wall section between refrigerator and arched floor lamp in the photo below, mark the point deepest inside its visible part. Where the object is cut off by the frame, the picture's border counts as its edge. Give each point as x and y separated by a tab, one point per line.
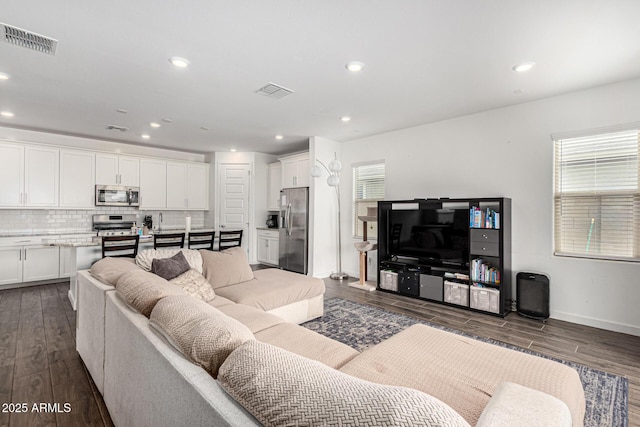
323	204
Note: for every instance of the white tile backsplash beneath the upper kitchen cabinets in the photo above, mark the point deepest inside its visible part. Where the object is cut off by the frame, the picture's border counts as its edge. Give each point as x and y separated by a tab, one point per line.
33	221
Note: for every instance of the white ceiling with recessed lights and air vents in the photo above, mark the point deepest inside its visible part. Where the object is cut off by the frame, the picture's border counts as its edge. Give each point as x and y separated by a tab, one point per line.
426	60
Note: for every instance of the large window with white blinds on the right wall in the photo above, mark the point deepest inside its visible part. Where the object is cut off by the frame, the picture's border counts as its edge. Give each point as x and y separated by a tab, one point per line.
596	197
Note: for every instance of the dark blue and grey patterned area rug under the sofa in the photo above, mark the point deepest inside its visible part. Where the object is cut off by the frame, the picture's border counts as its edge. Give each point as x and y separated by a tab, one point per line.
361	326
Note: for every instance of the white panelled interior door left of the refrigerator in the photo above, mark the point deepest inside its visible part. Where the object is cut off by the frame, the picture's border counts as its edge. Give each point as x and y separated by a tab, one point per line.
233	185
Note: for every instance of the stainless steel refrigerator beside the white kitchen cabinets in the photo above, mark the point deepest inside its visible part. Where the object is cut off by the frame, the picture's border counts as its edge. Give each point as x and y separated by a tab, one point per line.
294	229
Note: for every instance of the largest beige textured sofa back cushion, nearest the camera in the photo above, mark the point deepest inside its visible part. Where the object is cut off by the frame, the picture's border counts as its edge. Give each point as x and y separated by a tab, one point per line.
282	388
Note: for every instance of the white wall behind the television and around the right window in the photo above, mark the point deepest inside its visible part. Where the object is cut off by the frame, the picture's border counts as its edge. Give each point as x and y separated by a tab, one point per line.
508	152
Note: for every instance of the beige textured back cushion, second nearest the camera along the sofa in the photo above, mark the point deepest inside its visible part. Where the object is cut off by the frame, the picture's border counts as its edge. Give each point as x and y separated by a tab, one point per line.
201	332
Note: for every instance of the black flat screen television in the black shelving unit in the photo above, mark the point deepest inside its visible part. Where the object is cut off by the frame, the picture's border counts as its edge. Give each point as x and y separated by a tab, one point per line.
435	234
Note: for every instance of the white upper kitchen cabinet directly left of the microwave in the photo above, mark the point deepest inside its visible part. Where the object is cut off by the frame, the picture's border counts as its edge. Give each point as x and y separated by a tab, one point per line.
77	179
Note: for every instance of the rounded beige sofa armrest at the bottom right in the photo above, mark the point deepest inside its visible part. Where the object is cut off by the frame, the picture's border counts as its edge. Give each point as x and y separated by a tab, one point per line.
513	404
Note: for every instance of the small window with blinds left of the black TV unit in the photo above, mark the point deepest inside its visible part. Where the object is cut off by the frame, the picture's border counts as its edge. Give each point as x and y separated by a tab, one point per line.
368	188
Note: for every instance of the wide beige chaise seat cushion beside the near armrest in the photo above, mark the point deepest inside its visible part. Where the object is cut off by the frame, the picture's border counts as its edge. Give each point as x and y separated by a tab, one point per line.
462	371
